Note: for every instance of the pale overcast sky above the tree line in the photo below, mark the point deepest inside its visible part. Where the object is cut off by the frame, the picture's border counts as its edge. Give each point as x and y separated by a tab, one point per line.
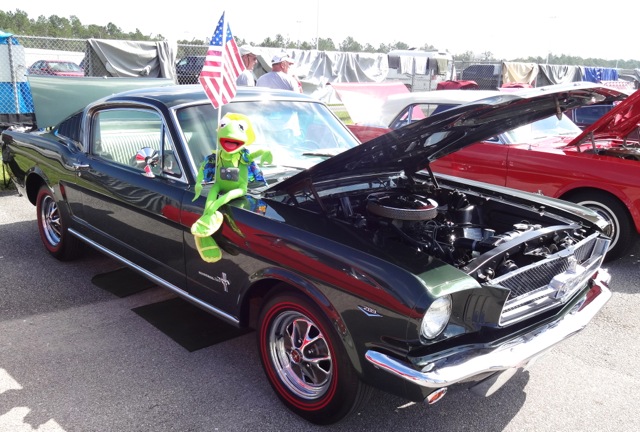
507	29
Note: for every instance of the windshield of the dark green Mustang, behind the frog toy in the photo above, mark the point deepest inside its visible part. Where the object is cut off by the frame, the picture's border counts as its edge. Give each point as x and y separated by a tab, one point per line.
299	134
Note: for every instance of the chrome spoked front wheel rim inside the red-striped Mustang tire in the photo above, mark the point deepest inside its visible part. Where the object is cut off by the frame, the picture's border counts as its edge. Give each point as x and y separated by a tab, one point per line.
300	355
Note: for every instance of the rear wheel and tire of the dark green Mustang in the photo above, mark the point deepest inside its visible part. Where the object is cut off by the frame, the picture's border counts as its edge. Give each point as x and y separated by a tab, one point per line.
53	227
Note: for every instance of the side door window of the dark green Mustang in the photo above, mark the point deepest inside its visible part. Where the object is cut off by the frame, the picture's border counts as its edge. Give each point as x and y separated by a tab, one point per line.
118	135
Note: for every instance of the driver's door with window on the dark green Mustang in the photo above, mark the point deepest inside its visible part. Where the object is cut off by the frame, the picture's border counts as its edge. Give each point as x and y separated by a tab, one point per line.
132	206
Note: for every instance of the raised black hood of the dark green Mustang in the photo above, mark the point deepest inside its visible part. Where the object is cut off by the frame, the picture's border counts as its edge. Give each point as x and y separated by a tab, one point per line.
413	147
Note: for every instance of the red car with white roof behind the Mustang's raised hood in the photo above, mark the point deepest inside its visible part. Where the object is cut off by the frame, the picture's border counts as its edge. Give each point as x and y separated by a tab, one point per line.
598	167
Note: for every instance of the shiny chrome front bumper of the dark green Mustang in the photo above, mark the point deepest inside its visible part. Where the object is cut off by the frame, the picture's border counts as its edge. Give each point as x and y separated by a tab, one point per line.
474	361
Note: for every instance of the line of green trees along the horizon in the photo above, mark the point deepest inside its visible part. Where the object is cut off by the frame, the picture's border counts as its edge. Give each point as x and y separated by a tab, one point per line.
19	23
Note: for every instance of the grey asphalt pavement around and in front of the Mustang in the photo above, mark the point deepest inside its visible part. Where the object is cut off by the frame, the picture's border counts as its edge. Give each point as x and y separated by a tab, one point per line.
74	357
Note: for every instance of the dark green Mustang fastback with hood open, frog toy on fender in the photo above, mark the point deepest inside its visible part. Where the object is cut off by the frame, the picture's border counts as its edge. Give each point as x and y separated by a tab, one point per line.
357	266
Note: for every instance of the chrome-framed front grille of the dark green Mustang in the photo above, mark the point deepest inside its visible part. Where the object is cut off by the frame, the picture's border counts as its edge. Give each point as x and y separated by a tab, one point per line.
530	287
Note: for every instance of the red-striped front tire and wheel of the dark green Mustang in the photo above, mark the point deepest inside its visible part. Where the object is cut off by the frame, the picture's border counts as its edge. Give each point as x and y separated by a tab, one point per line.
305	363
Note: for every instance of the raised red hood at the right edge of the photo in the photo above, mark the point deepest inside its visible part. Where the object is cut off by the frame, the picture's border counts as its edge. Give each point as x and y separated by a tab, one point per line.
617	123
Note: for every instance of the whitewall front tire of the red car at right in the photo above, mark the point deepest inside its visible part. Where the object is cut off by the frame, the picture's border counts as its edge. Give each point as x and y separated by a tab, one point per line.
622	230
